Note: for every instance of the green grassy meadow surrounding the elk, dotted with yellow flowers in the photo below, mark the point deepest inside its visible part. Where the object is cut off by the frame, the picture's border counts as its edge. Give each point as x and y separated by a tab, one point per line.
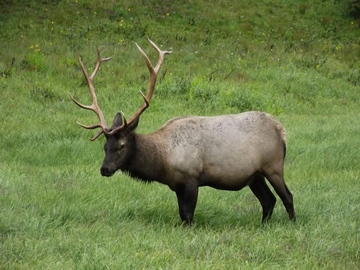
298	60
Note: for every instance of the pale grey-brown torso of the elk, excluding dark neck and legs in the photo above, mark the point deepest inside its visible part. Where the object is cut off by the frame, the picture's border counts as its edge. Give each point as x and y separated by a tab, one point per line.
220	151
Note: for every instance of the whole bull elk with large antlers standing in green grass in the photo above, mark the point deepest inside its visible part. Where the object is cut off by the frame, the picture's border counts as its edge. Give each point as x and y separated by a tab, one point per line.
225	152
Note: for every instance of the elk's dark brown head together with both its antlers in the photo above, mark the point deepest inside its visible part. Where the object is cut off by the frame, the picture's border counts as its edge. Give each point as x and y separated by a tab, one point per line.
119	145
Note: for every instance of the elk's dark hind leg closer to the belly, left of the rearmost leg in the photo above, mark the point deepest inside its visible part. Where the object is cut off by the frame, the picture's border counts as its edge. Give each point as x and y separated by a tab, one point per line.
267	199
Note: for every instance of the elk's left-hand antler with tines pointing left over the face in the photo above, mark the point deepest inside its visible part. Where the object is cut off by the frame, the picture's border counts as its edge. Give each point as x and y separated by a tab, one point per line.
94	106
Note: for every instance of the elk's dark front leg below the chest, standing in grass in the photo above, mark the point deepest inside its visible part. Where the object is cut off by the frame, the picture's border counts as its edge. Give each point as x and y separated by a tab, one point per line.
187	198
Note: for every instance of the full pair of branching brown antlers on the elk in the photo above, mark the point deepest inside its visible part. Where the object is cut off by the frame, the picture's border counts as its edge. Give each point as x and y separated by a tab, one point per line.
95	107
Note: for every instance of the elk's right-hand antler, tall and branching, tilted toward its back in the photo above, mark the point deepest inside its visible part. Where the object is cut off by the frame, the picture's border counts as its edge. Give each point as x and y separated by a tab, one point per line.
153	76
